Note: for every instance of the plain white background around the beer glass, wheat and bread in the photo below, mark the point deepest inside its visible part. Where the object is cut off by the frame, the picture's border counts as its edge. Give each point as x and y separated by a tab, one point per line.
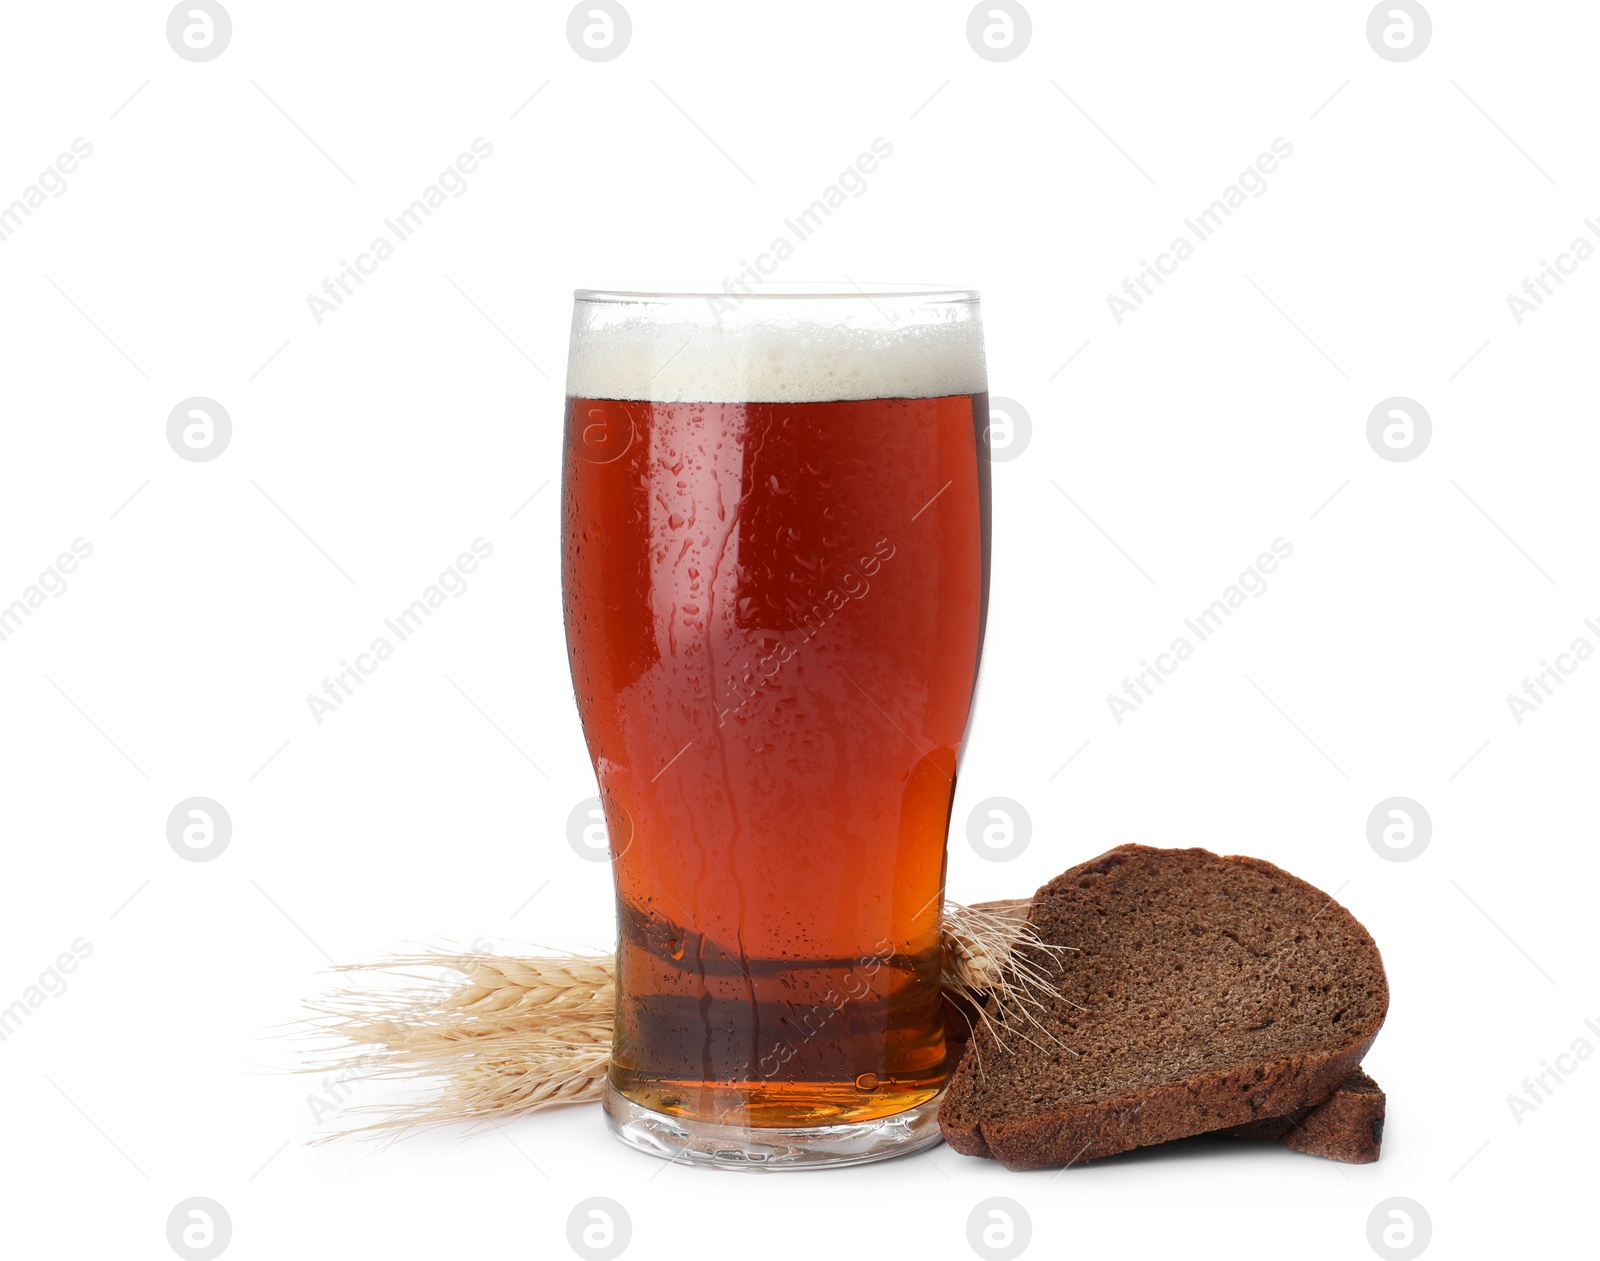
426	412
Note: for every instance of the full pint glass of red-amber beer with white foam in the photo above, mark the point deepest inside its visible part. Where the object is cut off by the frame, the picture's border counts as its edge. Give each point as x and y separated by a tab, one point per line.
775	574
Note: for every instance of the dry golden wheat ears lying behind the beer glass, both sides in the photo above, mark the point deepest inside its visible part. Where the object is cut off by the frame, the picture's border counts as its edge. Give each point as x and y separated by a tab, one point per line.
519	1035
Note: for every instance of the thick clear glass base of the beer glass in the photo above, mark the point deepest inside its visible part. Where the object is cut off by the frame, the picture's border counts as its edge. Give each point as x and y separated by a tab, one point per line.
713	1145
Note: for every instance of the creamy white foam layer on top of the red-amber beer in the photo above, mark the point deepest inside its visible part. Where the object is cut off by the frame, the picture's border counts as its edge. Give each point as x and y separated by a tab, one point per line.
775	362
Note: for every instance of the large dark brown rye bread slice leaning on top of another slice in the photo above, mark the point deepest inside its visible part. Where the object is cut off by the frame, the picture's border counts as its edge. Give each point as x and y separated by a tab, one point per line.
1202	993
